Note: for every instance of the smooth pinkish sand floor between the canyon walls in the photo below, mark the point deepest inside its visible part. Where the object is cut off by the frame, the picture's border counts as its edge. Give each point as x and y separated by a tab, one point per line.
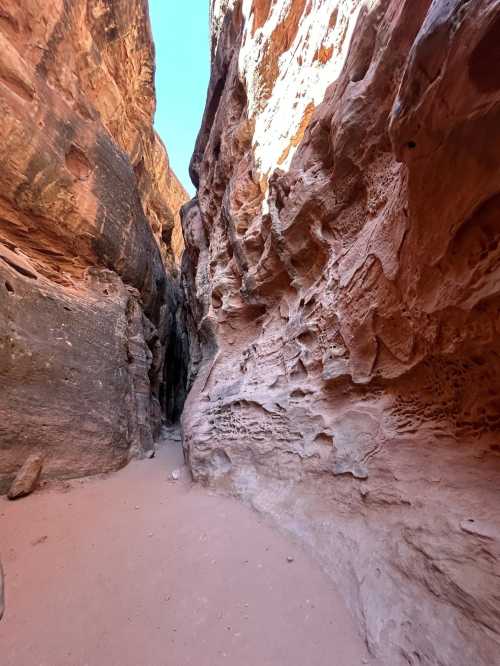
139	570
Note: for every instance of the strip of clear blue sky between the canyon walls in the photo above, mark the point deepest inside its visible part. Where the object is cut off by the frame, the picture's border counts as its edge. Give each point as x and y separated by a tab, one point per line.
180	30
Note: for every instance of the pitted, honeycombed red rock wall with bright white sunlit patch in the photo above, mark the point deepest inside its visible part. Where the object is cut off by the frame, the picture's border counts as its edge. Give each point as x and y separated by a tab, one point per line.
343	277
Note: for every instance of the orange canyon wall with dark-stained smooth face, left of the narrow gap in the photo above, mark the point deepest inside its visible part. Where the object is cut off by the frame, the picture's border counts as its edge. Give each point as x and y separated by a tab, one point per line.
88	208
